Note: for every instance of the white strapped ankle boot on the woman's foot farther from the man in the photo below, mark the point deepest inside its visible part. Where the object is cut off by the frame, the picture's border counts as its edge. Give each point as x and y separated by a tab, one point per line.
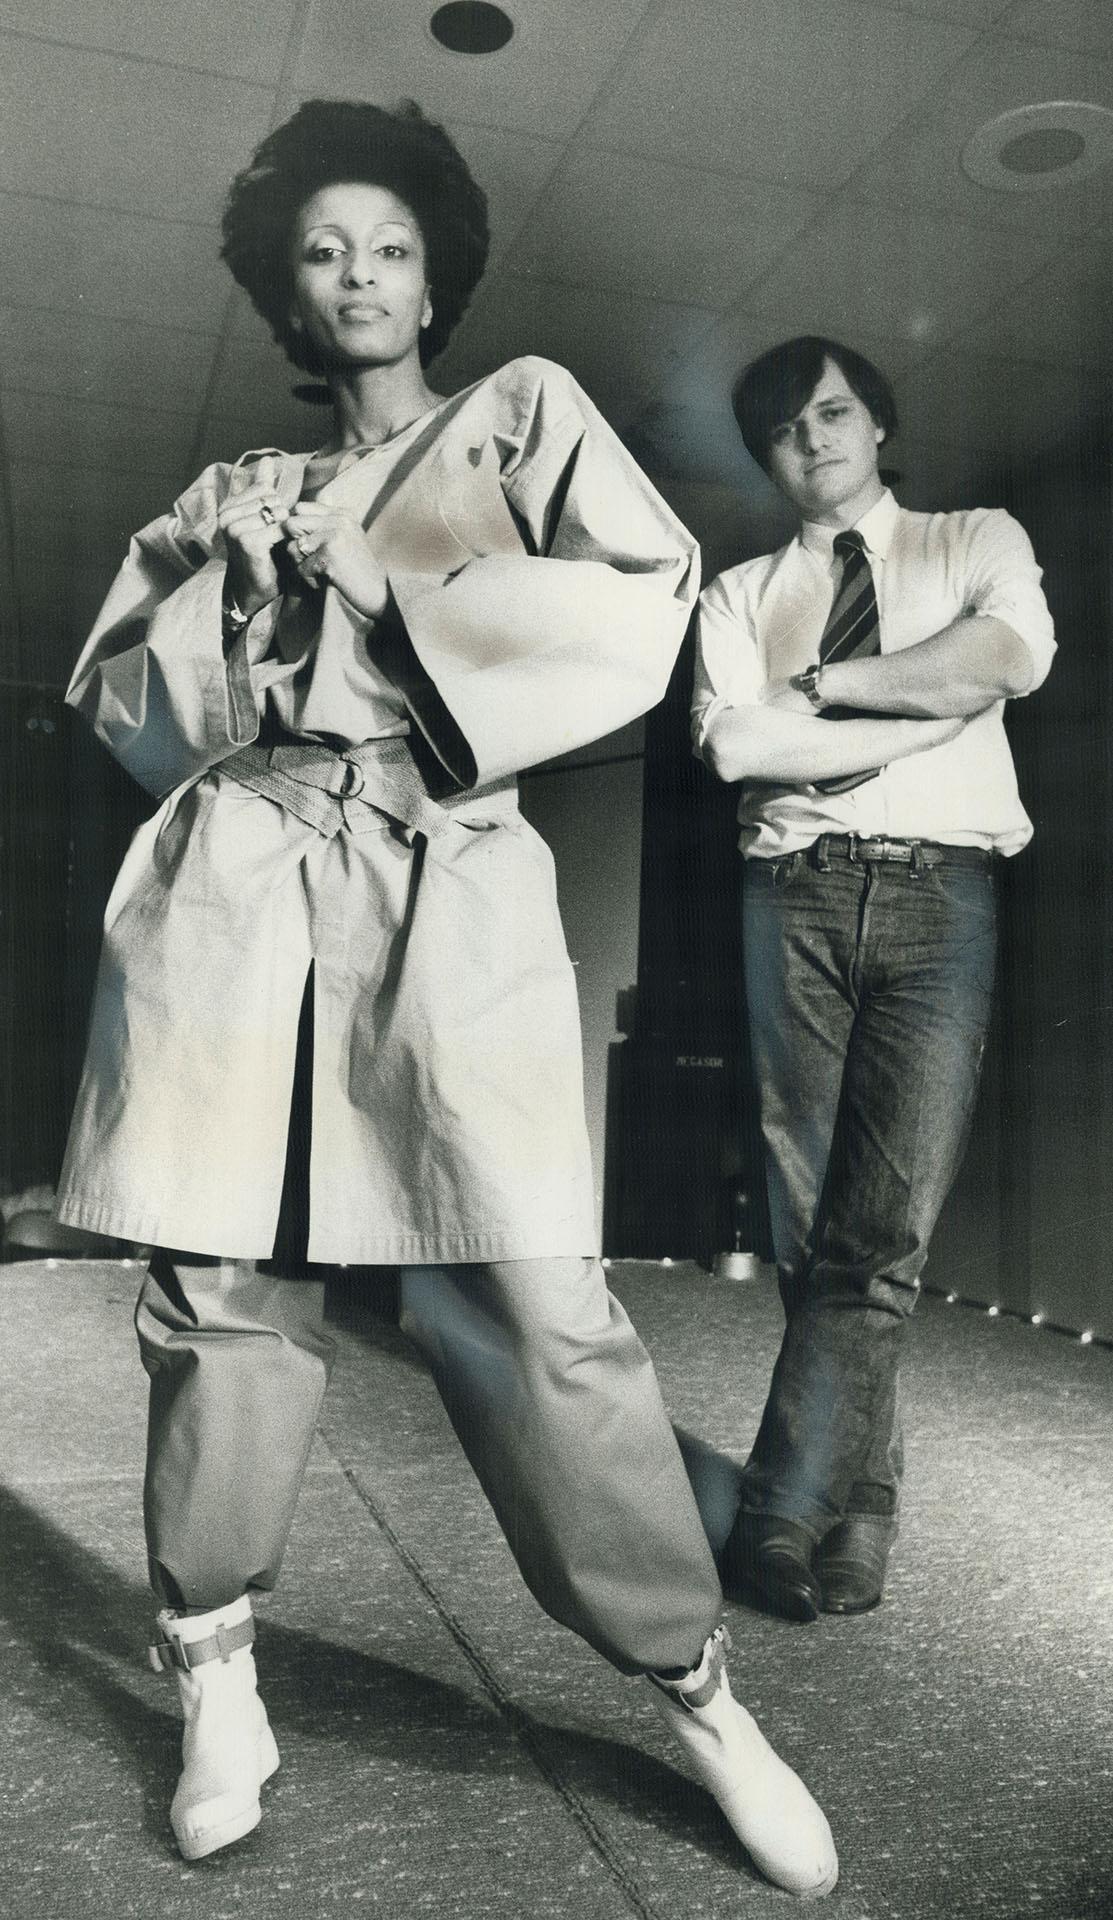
227	1742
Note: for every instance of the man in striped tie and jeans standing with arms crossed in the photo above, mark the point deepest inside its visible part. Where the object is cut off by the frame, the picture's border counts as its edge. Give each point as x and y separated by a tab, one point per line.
855	684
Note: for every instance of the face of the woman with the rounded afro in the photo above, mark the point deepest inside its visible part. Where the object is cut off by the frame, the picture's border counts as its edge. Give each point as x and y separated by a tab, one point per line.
360	276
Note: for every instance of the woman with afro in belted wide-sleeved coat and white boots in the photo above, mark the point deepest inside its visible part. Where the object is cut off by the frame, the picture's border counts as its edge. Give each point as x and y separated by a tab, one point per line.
333	667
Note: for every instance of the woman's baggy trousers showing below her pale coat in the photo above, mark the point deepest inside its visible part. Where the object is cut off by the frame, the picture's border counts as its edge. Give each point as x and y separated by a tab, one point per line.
546	1383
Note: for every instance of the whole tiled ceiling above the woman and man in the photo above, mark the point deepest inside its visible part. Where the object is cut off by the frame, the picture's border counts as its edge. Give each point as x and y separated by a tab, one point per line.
653	277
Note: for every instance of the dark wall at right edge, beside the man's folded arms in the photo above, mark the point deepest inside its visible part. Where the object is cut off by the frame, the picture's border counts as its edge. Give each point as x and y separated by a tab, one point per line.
1031	1220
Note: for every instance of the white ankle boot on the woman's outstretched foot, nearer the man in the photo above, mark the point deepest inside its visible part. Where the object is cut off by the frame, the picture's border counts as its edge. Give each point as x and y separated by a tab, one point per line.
769	1806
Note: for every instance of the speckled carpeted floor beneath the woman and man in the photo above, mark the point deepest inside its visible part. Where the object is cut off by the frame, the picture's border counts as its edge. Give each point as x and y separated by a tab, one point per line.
448	1752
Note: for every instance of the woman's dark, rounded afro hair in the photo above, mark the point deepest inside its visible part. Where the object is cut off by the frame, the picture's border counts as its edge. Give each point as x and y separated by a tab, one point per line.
333	141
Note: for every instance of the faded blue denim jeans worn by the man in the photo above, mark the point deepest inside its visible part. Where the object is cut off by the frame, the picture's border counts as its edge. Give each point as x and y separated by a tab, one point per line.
868	990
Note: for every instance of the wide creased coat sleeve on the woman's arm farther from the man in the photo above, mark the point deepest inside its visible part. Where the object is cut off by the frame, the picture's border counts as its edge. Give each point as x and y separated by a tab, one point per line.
154	679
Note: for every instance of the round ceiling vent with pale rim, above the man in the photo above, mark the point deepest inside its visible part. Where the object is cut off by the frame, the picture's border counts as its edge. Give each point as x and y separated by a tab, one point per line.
1053	143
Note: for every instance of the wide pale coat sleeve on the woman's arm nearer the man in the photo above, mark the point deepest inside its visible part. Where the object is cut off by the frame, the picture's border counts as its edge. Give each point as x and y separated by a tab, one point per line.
569	631
